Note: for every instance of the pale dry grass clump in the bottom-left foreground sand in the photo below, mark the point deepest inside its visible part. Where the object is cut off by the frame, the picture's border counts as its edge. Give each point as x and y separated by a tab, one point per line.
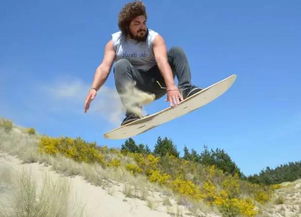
27	199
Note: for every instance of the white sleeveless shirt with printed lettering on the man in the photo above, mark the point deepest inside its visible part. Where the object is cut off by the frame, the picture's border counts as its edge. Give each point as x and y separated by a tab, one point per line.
140	54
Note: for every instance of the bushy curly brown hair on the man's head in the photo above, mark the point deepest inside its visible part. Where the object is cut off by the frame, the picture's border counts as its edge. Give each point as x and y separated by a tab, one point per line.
128	13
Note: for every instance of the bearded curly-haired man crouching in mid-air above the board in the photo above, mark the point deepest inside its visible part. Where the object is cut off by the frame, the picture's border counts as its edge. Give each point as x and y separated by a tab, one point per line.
140	58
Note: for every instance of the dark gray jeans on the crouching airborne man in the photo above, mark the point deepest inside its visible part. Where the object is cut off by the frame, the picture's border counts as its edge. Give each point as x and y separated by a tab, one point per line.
147	81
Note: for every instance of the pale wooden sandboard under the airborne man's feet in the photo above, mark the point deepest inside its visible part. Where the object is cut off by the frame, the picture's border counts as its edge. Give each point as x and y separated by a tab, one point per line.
188	105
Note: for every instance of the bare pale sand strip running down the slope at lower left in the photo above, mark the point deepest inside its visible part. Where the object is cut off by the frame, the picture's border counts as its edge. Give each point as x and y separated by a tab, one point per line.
98	203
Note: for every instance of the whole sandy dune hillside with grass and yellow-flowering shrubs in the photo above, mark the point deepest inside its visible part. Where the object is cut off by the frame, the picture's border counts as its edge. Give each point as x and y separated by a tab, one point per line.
98	181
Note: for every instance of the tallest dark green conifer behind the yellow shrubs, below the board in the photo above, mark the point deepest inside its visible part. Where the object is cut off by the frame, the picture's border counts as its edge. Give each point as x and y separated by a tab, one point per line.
165	146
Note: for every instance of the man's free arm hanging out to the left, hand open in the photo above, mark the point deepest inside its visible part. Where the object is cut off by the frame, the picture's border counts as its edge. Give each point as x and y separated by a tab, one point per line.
101	73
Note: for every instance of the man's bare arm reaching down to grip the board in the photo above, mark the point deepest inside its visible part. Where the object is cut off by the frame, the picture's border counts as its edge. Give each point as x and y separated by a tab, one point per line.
160	52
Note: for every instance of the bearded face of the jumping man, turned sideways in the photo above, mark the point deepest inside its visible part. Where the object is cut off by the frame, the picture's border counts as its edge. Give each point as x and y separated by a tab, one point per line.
138	29
